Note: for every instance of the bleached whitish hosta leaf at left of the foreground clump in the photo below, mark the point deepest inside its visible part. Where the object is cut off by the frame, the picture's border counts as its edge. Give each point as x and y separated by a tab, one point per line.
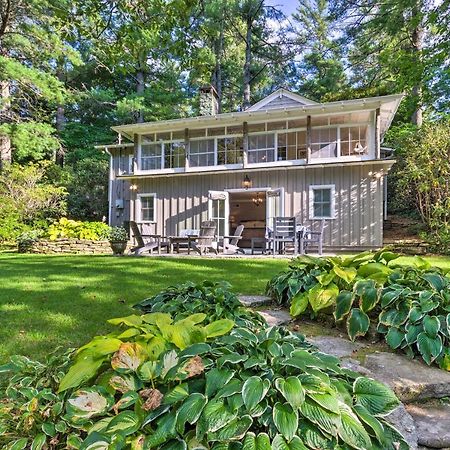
89	402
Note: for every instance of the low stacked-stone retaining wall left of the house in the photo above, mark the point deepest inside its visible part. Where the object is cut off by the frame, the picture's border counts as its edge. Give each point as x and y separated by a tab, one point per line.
67	246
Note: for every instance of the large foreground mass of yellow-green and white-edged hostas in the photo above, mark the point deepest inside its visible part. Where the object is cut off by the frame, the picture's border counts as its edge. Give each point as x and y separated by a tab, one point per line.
214	390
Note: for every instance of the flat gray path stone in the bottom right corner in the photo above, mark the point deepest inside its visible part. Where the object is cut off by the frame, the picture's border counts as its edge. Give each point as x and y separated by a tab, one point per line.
432	423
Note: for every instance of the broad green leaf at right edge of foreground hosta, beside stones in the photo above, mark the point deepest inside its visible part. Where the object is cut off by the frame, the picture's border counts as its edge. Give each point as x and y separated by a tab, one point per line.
374	396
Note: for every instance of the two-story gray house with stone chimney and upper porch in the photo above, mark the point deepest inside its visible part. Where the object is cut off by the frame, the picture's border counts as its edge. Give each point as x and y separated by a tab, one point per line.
284	156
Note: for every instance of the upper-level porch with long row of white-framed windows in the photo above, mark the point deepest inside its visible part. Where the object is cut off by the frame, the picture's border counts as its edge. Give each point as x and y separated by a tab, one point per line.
309	134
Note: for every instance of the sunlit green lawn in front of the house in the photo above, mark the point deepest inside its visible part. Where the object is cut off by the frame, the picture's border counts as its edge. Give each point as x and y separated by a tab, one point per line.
47	301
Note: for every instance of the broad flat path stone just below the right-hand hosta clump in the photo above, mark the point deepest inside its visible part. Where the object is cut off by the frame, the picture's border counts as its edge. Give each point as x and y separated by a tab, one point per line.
410	379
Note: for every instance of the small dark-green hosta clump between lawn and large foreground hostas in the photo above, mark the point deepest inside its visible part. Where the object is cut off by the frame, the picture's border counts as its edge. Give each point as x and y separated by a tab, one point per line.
216	300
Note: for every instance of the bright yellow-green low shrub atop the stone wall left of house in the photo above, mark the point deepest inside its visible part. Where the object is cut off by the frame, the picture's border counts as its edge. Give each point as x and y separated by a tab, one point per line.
66	228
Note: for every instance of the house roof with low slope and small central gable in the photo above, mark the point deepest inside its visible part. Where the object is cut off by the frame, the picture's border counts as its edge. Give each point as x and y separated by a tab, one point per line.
388	105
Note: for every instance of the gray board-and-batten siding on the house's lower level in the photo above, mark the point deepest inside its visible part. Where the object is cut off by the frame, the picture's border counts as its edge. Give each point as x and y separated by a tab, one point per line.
182	200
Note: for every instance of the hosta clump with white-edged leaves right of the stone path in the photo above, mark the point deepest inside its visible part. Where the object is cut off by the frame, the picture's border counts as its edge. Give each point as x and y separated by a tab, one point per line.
410	305
